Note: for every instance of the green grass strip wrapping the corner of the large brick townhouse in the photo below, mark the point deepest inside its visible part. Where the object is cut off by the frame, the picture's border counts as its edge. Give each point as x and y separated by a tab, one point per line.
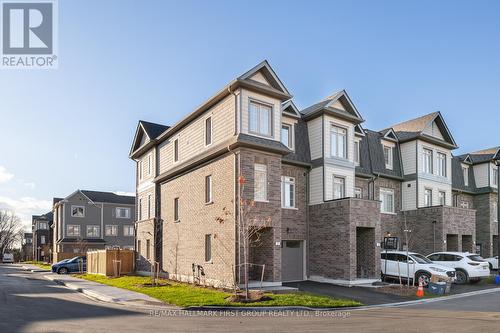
184	295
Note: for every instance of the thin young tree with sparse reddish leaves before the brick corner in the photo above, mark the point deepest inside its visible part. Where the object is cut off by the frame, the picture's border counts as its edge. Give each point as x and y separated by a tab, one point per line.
250	228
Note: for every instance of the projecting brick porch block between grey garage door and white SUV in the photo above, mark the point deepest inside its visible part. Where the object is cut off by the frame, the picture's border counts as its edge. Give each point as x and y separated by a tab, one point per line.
332	238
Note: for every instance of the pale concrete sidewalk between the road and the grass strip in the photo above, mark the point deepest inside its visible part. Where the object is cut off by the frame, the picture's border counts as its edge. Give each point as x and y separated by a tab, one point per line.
105	293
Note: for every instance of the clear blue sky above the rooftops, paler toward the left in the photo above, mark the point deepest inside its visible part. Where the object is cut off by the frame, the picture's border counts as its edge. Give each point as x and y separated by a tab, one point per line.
121	61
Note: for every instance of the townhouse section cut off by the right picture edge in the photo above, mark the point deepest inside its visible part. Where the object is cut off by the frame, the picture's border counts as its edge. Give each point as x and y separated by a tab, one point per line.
475	185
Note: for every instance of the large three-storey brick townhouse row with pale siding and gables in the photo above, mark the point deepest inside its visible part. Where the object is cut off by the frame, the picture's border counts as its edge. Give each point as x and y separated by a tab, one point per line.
325	190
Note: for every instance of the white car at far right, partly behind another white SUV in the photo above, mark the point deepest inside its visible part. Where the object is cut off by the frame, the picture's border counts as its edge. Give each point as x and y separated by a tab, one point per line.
469	266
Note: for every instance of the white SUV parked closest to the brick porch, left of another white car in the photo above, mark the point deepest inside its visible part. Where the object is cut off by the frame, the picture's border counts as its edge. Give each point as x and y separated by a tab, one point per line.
395	264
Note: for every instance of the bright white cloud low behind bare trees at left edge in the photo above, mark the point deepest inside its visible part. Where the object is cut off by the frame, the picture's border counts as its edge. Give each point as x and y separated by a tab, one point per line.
25	207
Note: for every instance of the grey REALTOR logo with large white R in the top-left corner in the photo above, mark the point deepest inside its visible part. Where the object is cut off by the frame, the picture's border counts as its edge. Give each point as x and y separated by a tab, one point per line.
28	34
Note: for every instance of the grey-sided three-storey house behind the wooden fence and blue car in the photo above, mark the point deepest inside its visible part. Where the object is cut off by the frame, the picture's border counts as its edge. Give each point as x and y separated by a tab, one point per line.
91	220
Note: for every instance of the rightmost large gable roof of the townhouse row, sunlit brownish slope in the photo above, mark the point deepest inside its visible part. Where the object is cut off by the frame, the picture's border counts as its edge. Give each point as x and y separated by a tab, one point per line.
414	128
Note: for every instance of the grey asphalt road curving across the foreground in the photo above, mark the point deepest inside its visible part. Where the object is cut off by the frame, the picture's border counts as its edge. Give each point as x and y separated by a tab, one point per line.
29	303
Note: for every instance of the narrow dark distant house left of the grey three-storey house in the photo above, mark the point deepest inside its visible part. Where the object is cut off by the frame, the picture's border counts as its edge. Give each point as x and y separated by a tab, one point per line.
41	226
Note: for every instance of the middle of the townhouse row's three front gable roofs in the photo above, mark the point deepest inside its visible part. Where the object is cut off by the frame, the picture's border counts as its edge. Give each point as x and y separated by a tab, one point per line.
328	106
